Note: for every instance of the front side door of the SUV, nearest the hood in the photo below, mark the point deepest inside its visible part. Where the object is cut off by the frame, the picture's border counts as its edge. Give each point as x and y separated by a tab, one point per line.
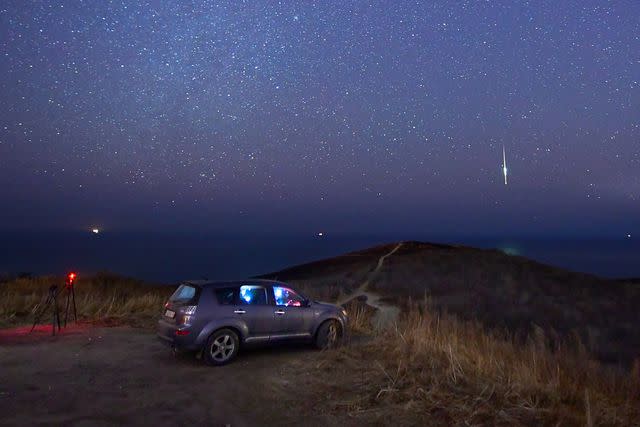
290	309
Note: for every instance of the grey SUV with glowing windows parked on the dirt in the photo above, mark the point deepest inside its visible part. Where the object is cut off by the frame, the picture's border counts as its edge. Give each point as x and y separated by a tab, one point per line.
219	317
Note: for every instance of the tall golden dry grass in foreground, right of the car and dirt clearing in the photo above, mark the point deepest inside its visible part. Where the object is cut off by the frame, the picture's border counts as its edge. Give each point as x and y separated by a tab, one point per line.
451	372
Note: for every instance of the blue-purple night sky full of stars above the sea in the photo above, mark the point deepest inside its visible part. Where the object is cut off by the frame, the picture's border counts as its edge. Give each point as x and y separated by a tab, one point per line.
347	116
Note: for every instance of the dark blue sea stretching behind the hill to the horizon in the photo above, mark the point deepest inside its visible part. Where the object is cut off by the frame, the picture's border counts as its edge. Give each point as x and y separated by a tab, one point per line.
171	257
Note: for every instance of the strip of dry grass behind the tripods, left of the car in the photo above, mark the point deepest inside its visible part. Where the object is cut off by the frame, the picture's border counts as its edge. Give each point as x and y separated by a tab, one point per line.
103	296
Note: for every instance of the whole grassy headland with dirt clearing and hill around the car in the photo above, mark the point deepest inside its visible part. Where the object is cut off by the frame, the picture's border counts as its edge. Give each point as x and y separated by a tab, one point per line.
429	367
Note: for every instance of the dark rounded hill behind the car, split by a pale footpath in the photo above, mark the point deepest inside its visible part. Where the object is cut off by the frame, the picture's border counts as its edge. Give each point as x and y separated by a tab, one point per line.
501	291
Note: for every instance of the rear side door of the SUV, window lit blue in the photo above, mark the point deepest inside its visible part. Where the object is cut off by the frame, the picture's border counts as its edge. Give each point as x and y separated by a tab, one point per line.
255	308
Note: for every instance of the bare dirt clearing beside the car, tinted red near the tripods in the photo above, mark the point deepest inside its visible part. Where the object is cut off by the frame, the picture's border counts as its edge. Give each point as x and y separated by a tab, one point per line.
120	375
